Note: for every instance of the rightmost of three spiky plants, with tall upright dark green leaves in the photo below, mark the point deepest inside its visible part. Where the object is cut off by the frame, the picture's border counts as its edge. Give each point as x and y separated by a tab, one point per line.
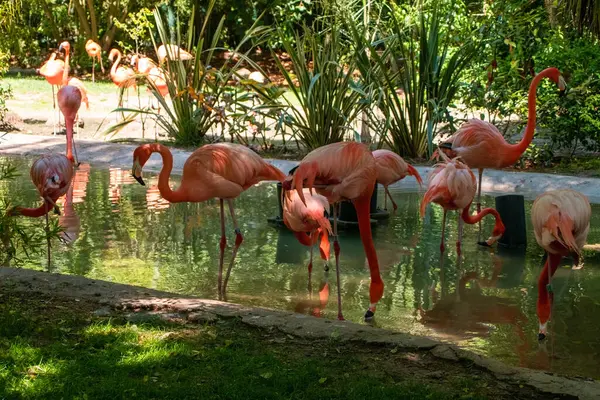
419	79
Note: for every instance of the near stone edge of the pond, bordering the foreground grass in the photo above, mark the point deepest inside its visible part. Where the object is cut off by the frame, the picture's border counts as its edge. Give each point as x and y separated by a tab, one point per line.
169	305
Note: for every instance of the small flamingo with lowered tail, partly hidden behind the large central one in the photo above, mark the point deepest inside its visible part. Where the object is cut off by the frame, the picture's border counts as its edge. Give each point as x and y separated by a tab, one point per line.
390	169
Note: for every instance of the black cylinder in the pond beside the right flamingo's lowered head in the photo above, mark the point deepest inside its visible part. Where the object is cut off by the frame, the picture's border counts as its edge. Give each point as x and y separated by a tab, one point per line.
511	208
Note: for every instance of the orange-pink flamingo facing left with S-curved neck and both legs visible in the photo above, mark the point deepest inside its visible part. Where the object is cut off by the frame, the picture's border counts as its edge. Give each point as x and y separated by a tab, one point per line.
220	170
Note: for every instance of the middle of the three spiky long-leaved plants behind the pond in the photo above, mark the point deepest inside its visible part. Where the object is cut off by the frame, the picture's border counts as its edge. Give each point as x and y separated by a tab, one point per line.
324	98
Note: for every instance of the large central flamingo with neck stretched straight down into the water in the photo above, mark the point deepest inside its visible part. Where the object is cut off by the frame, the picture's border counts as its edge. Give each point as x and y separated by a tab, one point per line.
344	171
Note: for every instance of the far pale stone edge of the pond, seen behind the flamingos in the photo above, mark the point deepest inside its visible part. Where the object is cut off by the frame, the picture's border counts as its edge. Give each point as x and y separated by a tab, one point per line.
495	182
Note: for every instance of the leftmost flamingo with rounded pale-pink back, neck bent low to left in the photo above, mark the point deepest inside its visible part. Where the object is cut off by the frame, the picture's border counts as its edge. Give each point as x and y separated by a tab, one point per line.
51	174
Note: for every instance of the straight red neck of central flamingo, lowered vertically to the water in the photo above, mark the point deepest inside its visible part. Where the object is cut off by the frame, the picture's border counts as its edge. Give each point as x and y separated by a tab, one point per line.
362	206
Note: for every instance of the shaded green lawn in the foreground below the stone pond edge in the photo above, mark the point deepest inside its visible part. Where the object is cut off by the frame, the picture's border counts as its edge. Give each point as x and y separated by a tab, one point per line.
51	348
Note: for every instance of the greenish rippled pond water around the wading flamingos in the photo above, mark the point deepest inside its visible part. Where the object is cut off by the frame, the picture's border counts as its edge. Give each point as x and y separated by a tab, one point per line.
123	232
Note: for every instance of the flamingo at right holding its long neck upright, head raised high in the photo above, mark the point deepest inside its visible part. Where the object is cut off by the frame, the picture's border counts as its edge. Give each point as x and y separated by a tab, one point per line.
481	145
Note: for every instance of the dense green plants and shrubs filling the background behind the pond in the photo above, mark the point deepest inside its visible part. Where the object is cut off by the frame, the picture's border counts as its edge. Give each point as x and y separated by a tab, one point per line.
410	69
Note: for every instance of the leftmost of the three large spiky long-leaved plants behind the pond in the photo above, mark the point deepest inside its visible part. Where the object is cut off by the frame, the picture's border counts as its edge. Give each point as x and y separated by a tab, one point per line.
197	90
